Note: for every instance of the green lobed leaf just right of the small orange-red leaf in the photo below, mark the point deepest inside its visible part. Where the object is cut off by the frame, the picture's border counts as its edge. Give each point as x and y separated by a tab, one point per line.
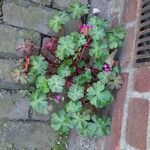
38	66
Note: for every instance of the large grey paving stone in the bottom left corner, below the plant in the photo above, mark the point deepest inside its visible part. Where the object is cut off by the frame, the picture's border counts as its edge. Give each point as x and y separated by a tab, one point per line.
26	136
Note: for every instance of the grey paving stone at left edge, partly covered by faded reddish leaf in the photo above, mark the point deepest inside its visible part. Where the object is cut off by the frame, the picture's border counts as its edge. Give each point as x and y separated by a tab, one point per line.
9	35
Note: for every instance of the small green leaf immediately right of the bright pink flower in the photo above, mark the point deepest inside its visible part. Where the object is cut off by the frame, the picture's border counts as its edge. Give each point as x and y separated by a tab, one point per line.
97	33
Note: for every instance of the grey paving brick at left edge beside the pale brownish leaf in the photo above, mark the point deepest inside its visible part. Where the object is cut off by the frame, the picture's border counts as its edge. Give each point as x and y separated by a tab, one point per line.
6	68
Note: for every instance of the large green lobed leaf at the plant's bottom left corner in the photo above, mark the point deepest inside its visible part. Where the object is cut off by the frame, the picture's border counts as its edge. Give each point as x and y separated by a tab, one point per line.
61	121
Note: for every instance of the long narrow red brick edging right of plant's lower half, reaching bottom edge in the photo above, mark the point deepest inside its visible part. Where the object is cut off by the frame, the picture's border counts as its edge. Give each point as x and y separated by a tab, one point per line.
112	141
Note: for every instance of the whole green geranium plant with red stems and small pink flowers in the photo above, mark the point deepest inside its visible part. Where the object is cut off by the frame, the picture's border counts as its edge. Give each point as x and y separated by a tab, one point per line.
83	73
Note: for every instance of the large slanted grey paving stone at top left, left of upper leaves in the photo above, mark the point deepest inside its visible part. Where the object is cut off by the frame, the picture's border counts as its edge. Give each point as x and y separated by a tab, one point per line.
27	15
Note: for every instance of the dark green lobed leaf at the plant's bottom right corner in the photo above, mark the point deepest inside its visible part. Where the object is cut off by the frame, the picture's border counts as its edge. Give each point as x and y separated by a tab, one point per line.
99	127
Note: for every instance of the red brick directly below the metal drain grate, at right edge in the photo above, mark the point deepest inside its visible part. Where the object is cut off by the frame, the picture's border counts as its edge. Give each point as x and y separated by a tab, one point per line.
142	79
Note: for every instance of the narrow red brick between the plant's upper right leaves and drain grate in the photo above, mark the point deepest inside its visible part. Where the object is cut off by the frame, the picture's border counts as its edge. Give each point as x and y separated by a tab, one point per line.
126	52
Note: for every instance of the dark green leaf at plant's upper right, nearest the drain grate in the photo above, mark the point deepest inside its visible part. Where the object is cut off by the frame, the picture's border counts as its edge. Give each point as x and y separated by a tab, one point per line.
115	37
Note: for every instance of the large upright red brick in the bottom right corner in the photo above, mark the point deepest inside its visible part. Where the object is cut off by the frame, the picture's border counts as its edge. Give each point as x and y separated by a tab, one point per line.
137	123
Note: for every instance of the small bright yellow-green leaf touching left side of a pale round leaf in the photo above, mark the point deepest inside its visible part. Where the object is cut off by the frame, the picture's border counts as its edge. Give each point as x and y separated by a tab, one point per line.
42	84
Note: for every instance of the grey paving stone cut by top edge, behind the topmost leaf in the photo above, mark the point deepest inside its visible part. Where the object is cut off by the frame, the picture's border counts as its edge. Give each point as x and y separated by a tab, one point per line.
63	4
